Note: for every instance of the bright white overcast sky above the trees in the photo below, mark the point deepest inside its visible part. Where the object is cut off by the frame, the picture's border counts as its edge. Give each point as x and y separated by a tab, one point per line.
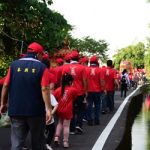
119	22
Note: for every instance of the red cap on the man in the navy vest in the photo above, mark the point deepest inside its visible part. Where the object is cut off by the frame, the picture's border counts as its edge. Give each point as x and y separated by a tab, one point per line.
35	47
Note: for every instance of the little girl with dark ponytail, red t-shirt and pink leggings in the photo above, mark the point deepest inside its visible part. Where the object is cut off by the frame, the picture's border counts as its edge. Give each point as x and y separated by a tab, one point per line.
65	96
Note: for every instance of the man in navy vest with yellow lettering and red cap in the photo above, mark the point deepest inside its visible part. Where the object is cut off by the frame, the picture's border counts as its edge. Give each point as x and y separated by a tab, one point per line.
27	88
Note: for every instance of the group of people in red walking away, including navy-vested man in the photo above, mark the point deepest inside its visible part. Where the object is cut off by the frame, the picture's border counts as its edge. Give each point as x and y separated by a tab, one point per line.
40	98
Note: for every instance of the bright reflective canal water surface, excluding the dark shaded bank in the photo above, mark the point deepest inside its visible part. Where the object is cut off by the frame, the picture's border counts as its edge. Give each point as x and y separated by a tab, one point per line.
141	127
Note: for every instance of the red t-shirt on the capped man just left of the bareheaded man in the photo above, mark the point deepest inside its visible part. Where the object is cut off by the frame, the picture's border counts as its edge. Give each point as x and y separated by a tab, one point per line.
94	76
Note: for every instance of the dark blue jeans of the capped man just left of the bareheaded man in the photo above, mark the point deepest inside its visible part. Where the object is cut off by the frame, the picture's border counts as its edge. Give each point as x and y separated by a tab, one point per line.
93	98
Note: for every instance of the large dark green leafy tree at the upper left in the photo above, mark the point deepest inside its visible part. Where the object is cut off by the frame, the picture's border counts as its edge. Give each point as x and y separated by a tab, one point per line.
30	20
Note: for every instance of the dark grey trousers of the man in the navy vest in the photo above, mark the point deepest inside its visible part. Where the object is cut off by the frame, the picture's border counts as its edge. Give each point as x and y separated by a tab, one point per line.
20	127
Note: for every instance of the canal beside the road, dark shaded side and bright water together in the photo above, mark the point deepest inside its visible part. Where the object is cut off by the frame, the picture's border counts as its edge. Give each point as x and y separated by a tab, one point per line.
137	131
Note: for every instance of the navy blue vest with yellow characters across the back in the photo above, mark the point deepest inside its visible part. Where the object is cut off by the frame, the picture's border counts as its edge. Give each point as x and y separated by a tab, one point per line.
25	96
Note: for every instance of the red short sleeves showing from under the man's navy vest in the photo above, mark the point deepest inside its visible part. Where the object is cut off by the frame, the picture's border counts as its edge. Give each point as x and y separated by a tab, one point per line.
44	82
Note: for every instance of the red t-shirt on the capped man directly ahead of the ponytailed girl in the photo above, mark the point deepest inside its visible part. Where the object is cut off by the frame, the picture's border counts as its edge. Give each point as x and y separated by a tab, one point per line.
78	72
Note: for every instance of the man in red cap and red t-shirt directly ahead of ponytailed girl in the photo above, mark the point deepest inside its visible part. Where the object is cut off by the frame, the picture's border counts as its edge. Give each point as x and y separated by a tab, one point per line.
78	72
